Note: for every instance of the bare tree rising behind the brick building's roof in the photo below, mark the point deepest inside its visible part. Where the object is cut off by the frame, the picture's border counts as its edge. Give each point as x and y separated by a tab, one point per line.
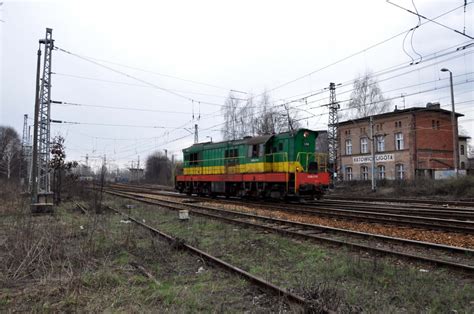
367	98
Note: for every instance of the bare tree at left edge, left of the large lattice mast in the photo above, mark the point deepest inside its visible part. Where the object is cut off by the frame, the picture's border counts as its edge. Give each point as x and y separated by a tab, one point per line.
10	152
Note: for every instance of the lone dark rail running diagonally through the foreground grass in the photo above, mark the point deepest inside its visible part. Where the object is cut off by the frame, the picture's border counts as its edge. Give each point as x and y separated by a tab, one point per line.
279	291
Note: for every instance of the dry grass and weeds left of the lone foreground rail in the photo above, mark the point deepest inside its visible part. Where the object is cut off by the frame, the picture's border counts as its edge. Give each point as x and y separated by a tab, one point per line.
102	251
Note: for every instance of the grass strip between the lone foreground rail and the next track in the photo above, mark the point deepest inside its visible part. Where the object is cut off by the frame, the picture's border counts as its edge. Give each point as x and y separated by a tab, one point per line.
348	279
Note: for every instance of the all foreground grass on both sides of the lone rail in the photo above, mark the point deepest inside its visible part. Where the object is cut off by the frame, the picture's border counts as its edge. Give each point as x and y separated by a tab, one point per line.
93	258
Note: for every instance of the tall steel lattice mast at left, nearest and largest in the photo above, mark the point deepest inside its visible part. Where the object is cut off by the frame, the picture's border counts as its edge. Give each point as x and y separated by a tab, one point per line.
41	198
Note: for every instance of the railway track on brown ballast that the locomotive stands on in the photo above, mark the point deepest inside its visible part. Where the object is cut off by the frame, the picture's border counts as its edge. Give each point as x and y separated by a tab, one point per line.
452	220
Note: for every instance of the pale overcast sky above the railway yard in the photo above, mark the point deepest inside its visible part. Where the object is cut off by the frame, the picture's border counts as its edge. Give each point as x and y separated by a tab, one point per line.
174	58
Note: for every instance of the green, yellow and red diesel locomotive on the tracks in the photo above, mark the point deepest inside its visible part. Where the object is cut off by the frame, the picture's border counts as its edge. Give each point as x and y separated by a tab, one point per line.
284	165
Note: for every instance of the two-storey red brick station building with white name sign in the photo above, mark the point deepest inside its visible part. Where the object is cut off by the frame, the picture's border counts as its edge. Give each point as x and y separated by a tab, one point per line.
411	142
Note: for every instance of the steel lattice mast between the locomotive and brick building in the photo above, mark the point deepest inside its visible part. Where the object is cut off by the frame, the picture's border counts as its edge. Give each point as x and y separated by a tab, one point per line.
332	130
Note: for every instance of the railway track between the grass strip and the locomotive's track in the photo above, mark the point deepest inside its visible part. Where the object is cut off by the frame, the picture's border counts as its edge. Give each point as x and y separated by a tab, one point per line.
441	255
